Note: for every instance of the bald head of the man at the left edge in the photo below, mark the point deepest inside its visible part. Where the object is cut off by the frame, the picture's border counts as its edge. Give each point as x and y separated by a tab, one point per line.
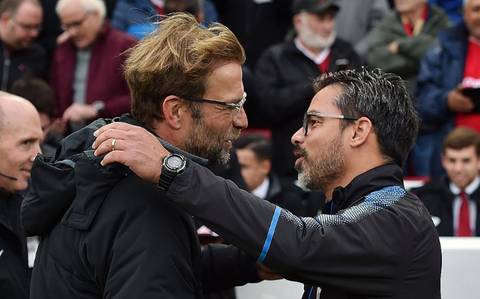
20	136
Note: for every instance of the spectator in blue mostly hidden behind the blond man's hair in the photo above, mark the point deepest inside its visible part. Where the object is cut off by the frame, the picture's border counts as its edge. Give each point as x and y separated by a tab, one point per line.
136	17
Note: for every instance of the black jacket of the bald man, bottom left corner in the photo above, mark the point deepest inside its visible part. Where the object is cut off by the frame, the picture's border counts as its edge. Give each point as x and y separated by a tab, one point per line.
14	270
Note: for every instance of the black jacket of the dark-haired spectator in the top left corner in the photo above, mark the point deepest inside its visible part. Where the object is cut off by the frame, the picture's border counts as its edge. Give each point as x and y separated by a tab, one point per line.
32	61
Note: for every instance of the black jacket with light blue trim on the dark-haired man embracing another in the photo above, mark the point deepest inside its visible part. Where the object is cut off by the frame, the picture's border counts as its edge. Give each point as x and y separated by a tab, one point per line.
379	242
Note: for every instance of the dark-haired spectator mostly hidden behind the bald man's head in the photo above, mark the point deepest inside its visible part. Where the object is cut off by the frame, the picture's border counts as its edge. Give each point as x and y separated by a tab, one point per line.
39	93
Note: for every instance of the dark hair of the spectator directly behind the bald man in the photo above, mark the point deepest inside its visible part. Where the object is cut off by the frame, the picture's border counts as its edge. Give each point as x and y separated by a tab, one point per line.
37	91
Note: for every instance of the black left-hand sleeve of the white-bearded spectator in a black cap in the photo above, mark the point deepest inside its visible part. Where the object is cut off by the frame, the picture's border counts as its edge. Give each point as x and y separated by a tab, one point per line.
281	98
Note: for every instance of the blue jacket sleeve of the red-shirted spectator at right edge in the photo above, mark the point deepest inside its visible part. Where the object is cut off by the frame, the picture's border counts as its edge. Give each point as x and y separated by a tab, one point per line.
430	93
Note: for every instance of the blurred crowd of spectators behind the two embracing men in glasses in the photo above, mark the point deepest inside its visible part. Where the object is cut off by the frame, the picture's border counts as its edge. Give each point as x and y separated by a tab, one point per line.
66	57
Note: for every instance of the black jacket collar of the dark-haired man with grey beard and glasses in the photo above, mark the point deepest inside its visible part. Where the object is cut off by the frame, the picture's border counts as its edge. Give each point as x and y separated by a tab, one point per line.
362	185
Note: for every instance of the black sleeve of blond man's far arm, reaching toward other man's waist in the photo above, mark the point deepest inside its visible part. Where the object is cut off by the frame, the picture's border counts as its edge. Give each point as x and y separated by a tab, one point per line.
225	267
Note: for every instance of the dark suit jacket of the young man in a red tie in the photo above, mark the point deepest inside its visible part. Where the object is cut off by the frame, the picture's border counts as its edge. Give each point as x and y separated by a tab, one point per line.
438	198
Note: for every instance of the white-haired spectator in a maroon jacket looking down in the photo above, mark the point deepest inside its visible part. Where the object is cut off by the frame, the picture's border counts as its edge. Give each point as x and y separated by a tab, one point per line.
86	71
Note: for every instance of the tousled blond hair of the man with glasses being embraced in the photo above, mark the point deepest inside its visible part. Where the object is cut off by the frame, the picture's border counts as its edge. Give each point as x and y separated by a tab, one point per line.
177	58
